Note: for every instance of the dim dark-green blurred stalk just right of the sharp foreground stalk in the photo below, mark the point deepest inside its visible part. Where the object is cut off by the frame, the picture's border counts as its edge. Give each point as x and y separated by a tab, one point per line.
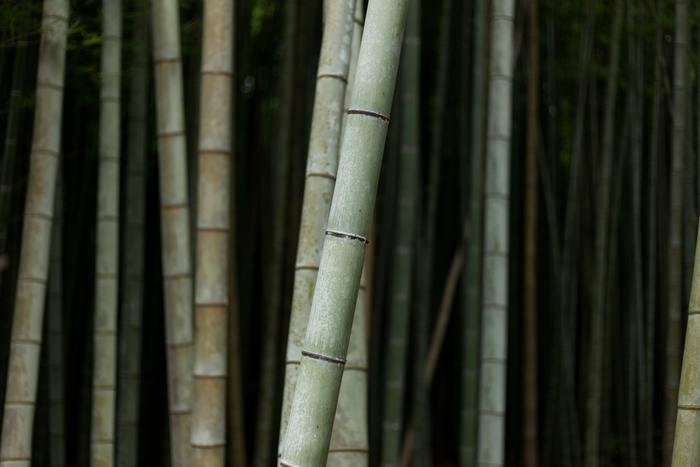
402	254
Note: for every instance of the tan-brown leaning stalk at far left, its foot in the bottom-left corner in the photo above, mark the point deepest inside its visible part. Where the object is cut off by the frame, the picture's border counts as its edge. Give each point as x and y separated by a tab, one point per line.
25	341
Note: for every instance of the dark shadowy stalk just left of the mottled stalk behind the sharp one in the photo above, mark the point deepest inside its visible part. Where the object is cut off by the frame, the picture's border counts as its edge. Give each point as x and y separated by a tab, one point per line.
274	252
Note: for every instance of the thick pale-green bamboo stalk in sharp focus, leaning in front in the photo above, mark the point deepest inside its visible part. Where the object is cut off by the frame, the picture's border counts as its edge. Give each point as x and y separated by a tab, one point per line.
326	342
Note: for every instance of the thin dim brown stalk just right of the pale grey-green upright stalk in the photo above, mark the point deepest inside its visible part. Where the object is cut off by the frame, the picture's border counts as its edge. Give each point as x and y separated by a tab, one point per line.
530	351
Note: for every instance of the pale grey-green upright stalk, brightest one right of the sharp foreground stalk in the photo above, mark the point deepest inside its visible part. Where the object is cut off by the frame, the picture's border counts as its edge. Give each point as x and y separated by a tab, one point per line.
492	392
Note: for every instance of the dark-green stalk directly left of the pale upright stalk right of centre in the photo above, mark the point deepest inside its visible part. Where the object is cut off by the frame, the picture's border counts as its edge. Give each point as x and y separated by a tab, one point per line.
471	304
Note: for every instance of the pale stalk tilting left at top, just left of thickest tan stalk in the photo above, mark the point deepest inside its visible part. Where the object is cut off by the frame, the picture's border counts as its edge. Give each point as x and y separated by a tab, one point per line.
175	224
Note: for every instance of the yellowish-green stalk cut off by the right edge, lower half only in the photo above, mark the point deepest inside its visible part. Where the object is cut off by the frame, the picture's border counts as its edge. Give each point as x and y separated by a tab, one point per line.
686	448
